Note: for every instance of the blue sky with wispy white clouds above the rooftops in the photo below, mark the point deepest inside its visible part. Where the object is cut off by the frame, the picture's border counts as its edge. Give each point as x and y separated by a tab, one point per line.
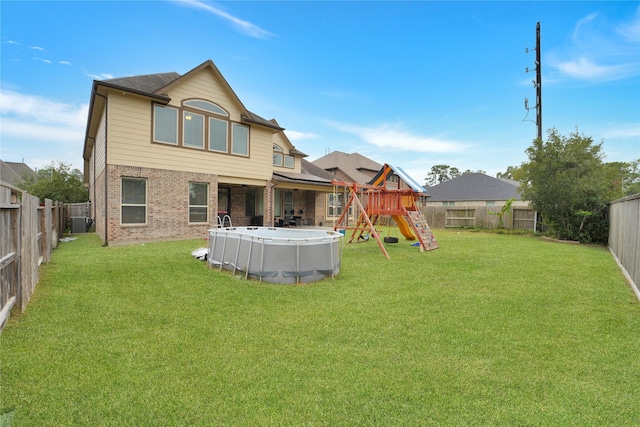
412	84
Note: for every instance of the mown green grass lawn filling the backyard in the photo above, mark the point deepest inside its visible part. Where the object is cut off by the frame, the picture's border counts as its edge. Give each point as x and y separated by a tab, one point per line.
487	330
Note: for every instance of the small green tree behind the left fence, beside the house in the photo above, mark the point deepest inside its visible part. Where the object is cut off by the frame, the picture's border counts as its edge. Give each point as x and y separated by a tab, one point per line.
58	183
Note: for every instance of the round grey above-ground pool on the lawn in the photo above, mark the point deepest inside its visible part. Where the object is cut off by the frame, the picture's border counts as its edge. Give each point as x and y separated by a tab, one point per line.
276	255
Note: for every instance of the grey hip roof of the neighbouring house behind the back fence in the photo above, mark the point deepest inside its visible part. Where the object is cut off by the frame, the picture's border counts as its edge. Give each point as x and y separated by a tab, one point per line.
474	186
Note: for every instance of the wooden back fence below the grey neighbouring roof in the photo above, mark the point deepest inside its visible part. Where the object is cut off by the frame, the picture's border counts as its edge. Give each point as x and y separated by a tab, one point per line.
479	217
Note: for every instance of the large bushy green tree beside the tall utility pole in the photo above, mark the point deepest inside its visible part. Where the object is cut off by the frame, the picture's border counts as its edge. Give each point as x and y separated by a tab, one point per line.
565	180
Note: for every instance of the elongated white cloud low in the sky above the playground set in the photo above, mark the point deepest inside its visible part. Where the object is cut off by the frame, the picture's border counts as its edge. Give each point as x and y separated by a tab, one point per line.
393	137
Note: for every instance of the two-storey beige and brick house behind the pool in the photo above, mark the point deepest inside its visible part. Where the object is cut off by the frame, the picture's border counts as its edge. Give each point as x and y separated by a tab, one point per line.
169	156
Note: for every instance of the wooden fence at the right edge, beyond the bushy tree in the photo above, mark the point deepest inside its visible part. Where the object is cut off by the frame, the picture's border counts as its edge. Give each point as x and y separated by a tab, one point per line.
624	236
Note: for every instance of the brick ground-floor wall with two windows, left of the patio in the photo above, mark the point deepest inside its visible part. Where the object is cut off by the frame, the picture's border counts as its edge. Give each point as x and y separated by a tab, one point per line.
167	205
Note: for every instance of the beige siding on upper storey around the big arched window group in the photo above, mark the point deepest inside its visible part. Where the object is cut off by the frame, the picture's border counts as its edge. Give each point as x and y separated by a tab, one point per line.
130	145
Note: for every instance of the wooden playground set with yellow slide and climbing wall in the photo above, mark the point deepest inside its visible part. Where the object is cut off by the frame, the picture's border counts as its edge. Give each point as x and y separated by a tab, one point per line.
374	200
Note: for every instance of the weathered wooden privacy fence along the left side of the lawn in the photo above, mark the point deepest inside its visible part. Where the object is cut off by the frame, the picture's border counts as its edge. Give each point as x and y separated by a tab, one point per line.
29	231
